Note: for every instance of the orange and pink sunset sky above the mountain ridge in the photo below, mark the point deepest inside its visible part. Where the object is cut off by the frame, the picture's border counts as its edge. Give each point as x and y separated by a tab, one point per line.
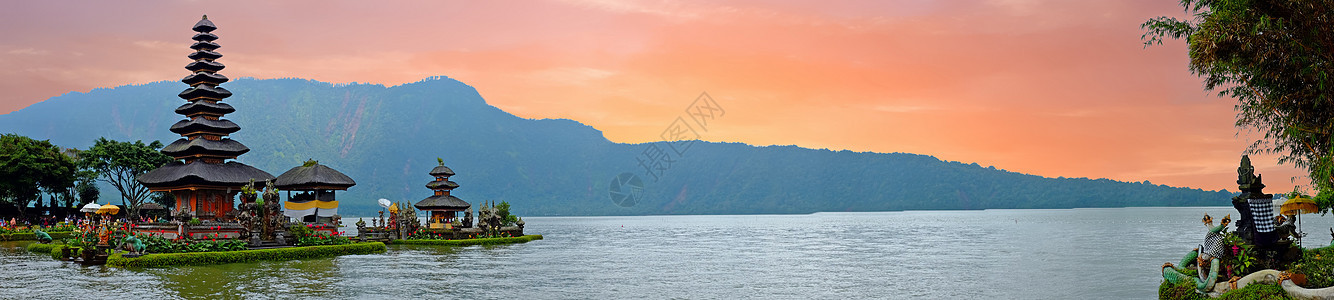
1053	89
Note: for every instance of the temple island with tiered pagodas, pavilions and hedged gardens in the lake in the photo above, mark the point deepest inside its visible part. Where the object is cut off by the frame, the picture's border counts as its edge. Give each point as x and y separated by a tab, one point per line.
209	226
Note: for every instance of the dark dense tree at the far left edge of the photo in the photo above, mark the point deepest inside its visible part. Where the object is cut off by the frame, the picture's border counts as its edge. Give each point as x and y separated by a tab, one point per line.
29	167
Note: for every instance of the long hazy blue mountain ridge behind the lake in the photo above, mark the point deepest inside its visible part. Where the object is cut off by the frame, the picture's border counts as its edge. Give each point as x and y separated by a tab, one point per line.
388	139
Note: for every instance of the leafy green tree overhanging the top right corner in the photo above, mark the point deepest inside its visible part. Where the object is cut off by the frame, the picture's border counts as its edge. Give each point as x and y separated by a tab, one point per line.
1273	57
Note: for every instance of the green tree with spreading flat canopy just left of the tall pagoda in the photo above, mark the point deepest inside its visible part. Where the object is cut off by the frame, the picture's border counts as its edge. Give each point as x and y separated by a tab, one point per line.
119	163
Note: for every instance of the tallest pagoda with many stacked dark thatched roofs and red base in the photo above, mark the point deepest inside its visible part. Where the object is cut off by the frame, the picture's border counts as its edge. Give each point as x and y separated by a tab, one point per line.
205	177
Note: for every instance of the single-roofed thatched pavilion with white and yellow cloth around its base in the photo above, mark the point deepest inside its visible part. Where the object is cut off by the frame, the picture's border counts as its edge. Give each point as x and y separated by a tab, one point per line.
315	185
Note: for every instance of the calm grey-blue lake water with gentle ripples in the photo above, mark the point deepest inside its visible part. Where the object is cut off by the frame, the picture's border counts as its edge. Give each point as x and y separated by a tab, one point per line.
1007	254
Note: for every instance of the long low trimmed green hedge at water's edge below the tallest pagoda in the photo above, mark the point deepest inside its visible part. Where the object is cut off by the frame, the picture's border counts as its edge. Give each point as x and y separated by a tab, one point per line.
245	257
